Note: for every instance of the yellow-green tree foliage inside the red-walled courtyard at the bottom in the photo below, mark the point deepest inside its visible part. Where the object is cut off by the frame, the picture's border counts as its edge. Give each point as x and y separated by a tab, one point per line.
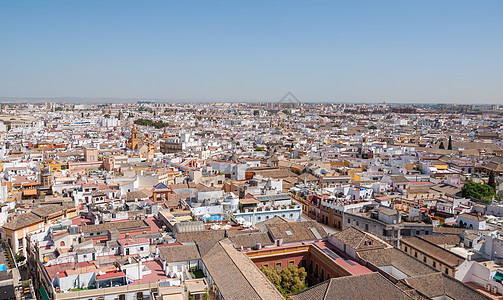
288	281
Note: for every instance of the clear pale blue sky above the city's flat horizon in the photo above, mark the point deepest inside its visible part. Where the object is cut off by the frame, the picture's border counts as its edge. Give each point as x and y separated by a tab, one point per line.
366	51
